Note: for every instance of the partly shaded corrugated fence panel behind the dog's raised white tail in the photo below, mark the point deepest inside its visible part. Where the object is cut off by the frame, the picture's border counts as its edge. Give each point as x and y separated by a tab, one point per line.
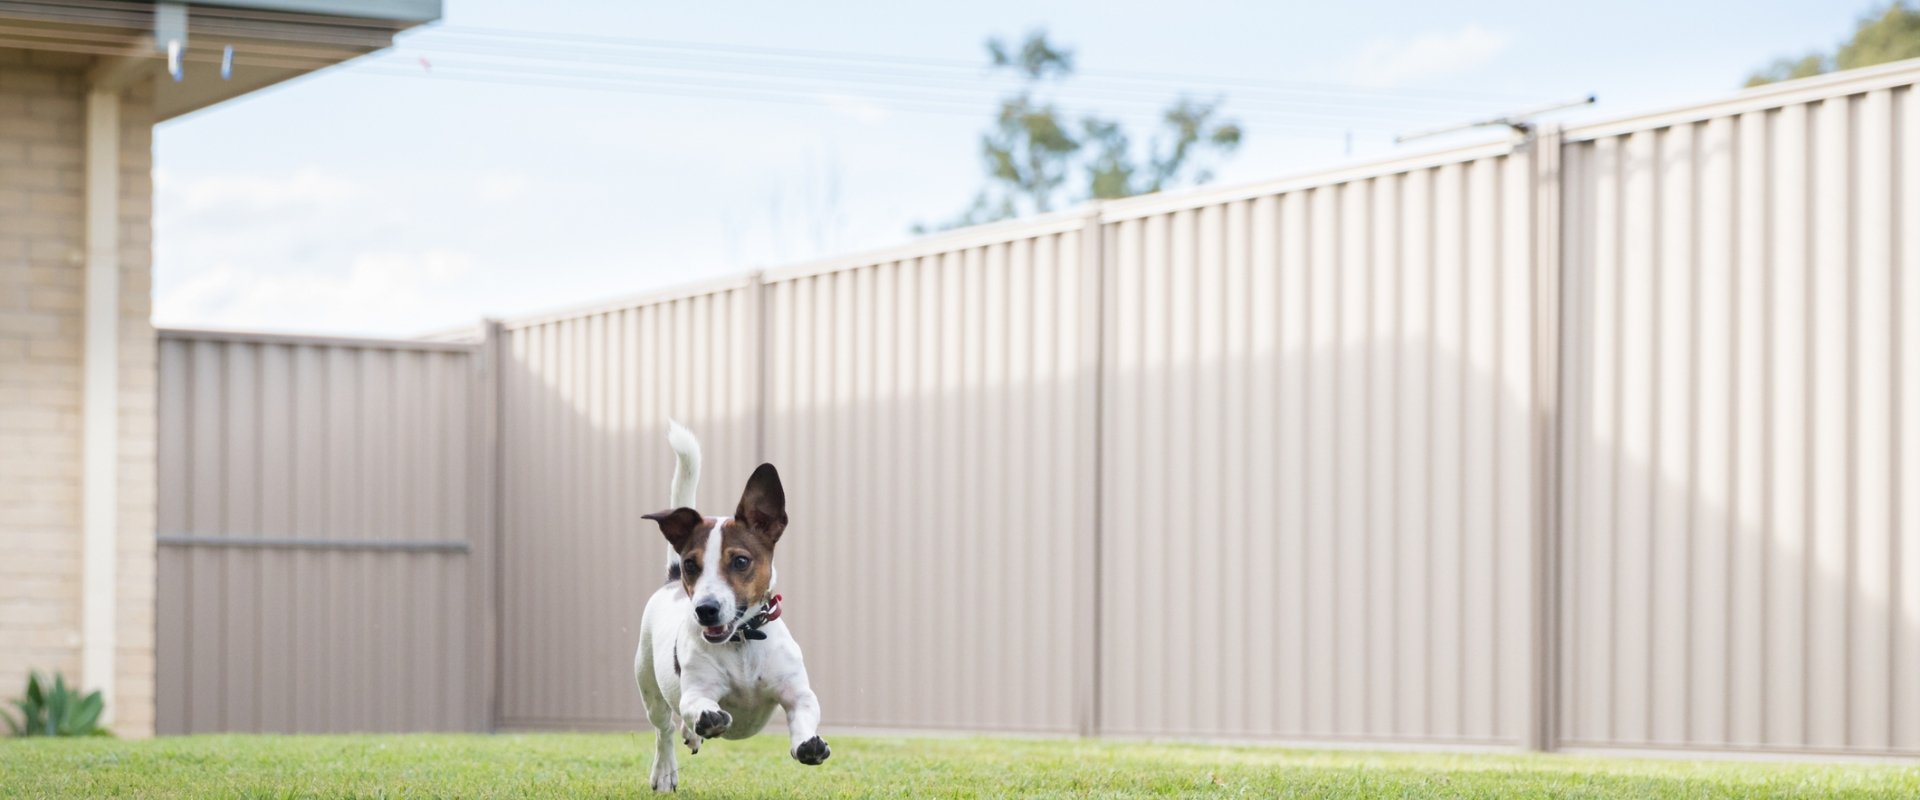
585	406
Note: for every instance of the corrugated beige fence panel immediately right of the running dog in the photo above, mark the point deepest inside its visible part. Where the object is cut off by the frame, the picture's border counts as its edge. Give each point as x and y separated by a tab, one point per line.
932	423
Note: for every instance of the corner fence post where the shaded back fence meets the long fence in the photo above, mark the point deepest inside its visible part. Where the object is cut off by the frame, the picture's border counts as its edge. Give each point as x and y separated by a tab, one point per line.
489	500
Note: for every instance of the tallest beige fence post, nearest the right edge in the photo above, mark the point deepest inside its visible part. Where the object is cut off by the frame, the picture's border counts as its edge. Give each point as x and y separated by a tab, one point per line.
1543	634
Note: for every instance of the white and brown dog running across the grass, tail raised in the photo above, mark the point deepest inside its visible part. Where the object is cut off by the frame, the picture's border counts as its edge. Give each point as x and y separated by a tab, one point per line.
713	655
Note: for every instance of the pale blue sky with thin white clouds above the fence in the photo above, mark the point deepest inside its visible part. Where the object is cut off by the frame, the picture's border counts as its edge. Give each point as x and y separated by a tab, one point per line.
519	158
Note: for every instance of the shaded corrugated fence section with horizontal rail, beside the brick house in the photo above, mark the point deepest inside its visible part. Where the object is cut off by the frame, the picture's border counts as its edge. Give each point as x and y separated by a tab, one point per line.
318	540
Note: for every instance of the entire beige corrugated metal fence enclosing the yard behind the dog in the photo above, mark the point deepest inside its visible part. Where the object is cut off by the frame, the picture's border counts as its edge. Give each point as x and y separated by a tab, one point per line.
1596	440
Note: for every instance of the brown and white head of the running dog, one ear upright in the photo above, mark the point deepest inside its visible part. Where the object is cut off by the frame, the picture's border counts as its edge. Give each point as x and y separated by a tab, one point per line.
727	565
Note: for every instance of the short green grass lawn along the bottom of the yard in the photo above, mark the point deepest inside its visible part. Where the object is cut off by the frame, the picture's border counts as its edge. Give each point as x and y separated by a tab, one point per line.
608	766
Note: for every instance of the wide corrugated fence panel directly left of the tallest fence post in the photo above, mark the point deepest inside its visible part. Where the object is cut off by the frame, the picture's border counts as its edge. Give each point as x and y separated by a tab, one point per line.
1316	461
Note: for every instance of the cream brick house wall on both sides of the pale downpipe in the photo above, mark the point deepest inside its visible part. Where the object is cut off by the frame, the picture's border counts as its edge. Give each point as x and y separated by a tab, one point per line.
41	341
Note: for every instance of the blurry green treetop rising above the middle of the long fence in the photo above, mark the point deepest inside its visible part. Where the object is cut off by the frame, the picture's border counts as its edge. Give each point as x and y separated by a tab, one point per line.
1036	151
